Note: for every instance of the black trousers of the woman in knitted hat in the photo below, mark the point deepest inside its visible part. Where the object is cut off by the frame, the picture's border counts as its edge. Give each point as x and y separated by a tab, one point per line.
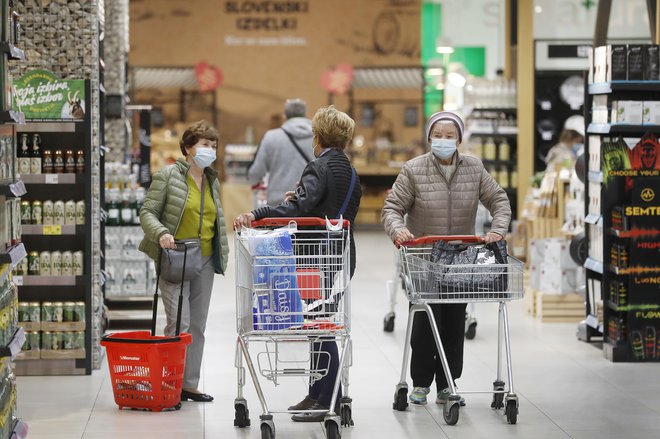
425	361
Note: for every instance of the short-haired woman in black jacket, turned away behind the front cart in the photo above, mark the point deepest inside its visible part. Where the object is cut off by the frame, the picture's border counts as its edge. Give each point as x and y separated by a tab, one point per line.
323	187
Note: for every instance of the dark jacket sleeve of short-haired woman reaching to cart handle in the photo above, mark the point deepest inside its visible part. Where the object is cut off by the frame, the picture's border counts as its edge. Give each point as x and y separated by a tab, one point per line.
309	193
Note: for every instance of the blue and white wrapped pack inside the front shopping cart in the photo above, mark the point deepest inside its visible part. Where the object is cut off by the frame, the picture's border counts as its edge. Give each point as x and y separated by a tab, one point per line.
277	300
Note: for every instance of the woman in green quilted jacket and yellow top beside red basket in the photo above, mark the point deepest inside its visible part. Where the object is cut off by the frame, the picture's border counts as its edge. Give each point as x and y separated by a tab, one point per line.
171	212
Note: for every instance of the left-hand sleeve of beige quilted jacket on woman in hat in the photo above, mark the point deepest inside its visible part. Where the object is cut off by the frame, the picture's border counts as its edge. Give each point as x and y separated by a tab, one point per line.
398	202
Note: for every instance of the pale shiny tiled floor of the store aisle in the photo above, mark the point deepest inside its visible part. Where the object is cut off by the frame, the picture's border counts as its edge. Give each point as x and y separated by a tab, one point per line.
566	388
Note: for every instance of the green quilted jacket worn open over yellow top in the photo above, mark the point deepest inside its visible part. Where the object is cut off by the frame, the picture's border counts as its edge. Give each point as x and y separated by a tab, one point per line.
163	208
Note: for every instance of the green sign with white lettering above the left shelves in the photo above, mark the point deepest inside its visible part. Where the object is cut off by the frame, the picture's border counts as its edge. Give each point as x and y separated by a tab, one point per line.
40	94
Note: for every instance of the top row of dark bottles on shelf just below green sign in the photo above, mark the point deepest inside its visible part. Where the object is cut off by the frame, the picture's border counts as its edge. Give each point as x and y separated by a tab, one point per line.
33	158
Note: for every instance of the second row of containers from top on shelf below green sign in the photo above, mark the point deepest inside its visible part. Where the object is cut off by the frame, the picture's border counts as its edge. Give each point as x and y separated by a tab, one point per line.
53	213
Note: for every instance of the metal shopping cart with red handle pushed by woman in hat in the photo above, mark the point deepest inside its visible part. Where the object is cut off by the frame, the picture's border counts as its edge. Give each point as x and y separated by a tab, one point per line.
431	283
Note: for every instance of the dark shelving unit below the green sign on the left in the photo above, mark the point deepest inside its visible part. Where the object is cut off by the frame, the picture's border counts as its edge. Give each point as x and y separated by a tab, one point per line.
52	356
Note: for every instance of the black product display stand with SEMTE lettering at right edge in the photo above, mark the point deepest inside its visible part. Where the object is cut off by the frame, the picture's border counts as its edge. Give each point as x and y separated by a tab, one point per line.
622	219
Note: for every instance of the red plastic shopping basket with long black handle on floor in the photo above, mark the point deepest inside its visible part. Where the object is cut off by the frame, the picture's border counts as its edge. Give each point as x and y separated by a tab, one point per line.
146	370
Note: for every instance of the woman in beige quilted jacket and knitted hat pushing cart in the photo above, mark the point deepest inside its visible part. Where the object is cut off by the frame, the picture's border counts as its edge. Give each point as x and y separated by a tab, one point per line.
438	194
